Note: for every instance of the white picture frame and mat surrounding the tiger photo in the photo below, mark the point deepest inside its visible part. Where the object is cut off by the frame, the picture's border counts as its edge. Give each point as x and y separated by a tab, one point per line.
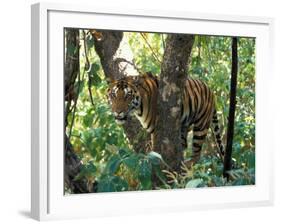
48	201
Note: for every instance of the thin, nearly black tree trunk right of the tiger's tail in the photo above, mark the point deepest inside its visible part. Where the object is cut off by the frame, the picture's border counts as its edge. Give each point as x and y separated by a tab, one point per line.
231	116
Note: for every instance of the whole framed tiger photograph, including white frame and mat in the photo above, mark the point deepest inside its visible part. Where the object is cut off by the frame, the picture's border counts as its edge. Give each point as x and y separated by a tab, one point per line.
152	110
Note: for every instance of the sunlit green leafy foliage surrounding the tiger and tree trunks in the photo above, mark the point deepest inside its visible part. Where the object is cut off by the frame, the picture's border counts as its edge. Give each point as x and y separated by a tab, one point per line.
108	158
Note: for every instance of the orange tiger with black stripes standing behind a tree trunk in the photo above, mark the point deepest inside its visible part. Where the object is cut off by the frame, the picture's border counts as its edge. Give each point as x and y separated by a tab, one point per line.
138	95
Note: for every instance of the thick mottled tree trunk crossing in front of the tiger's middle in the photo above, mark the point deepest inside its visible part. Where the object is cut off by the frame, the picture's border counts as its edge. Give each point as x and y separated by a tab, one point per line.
172	80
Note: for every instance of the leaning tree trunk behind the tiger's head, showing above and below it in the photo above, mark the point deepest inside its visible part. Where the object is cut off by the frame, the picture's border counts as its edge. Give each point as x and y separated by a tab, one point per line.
117	61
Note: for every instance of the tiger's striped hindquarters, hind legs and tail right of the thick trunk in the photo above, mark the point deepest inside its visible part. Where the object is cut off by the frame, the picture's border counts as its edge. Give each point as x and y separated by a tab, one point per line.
198	114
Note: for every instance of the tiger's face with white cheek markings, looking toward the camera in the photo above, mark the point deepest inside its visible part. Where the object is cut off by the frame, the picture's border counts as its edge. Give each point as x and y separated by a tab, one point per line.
123	98
